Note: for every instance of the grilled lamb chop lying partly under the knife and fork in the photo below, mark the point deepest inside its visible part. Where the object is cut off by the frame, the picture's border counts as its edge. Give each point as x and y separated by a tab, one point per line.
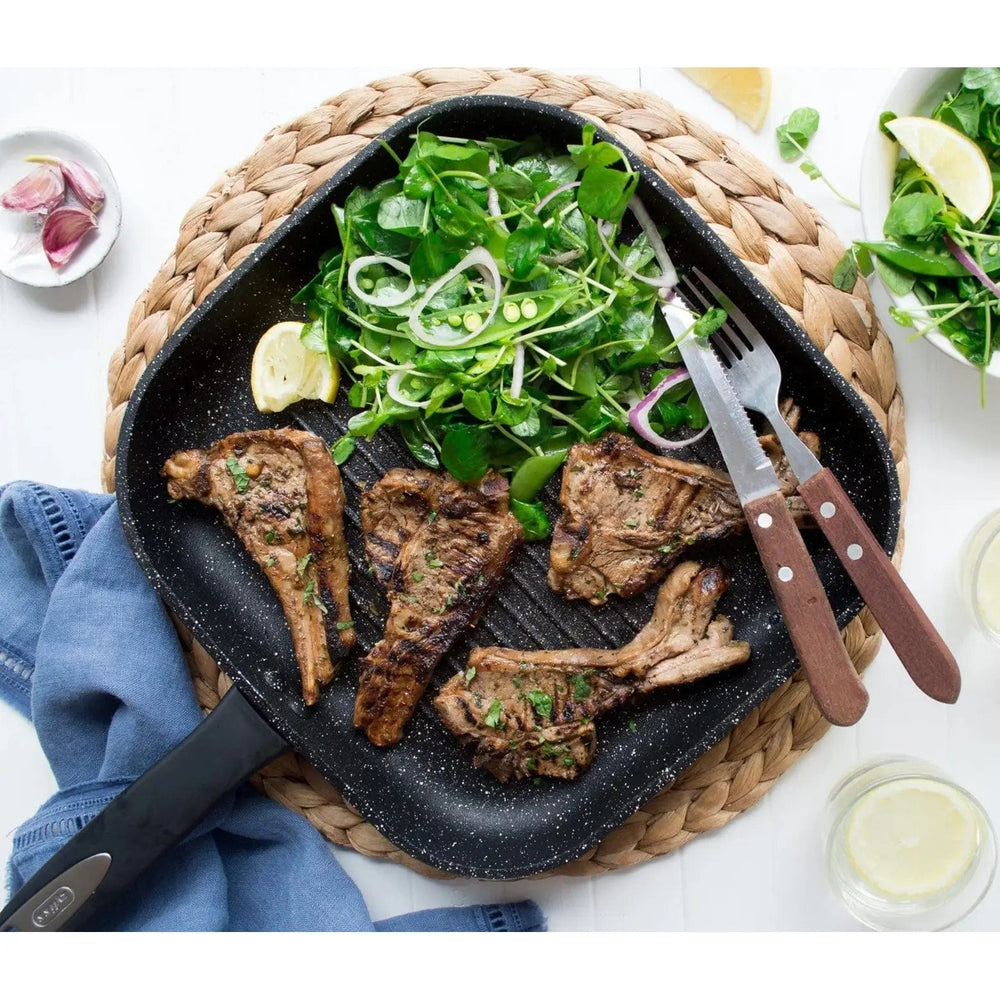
628	515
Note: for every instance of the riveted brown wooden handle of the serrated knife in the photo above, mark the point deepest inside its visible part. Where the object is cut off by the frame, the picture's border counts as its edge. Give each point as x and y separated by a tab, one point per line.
835	684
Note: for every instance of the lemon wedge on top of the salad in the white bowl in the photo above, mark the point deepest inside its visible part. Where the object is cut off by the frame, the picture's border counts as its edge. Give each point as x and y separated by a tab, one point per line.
953	161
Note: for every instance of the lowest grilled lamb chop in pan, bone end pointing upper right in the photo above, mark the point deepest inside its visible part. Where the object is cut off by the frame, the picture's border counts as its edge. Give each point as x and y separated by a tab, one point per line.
531	713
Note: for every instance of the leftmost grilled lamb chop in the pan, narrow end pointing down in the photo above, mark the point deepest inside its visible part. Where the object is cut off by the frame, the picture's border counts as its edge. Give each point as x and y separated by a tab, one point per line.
280	491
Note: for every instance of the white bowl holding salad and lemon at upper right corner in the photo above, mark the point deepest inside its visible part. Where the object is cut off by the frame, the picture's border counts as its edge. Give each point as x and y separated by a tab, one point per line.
916	92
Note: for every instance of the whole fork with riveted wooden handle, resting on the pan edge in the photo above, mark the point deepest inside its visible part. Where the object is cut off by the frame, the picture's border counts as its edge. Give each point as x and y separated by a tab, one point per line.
755	375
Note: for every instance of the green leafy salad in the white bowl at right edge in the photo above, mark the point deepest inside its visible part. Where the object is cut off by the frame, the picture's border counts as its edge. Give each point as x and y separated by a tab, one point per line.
932	249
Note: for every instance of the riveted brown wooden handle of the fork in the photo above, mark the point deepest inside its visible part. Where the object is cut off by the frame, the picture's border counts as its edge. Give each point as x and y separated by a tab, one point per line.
920	648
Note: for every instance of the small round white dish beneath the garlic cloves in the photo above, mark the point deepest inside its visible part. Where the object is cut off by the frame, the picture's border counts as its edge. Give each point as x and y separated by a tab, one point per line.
21	256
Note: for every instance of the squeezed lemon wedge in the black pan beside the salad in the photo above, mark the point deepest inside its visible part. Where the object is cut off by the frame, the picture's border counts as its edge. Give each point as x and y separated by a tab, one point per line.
284	371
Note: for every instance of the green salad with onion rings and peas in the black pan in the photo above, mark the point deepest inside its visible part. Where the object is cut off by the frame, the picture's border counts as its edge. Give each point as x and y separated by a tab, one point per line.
495	302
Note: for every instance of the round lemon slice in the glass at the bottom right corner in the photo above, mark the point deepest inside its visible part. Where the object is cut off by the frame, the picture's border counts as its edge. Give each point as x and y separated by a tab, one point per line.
912	837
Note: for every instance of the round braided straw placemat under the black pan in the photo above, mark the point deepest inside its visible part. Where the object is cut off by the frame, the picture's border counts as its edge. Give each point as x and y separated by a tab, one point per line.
783	241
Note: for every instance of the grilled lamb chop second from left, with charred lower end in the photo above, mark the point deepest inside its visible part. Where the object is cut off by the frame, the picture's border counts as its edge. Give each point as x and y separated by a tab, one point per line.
440	548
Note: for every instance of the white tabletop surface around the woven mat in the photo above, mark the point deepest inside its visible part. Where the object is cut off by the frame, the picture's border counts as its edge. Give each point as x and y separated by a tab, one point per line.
763	871
